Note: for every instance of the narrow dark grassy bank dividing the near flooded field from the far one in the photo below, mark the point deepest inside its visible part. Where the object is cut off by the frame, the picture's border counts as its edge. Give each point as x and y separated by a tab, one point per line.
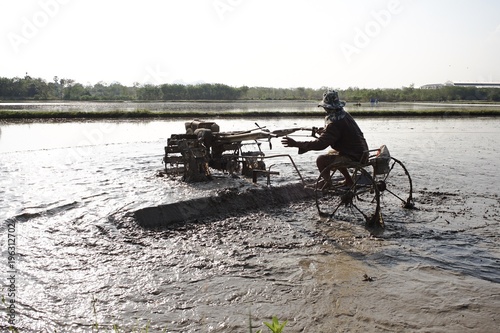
145	114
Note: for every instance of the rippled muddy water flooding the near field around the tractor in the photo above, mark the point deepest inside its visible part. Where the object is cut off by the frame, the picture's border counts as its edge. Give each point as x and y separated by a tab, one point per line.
81	258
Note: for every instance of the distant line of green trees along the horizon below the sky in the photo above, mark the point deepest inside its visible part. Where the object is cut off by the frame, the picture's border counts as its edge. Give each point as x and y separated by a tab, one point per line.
28	88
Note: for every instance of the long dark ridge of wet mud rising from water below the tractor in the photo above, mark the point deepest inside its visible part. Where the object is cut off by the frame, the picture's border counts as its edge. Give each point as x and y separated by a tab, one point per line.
230	201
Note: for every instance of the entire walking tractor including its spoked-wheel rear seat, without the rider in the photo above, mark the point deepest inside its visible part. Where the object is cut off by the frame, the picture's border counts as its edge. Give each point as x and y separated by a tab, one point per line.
382	180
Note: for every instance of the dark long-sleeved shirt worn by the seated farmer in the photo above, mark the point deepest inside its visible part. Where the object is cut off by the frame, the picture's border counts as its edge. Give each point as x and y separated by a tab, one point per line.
343	135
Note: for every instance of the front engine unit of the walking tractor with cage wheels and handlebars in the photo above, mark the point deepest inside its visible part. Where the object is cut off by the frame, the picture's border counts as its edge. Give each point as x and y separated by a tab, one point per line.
203	147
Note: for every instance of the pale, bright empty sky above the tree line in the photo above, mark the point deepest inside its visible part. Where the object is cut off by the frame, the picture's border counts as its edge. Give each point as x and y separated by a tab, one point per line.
256	43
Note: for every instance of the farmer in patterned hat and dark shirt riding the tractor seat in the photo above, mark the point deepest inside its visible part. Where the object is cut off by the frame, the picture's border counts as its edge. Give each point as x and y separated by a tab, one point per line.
340	133
